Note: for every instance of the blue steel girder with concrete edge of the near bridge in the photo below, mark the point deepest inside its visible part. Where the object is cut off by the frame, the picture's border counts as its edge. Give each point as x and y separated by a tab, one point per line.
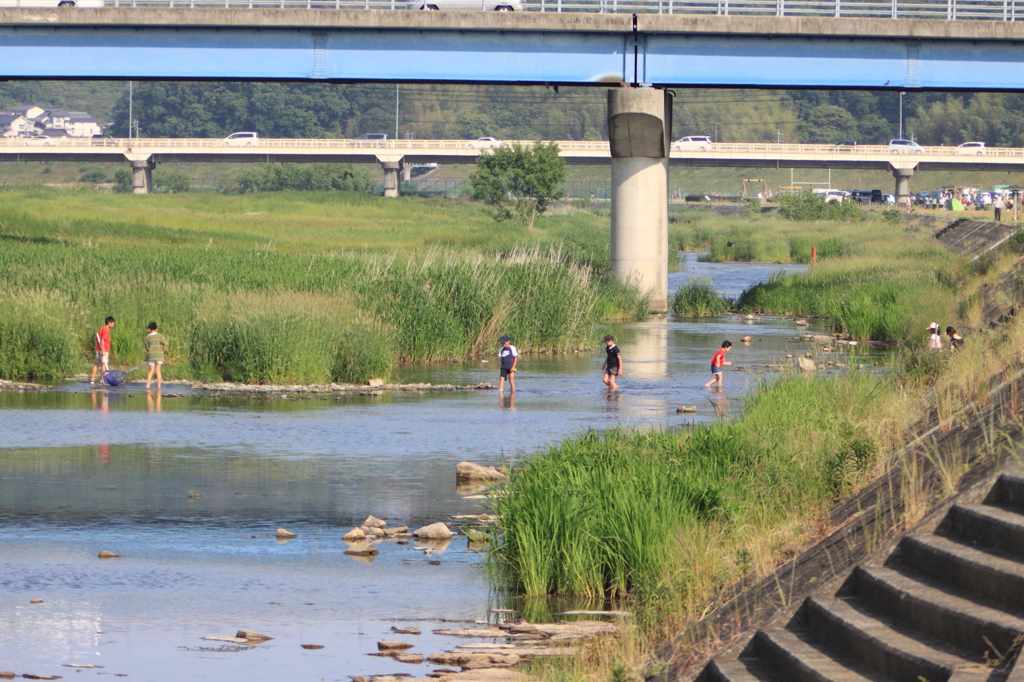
527	49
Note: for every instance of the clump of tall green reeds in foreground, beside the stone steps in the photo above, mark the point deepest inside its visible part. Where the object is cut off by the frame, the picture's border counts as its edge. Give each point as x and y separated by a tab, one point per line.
607	515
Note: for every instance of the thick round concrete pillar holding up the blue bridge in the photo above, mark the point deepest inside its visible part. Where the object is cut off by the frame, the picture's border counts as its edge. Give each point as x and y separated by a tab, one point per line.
641	133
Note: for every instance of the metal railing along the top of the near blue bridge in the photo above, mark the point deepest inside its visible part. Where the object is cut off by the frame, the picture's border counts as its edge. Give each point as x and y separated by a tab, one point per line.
997	11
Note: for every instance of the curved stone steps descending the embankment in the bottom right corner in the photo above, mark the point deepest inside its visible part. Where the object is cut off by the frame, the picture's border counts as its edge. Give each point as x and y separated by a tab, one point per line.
946	606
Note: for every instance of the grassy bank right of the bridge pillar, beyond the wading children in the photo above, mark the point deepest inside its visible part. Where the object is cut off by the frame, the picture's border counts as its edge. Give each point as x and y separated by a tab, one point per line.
874	279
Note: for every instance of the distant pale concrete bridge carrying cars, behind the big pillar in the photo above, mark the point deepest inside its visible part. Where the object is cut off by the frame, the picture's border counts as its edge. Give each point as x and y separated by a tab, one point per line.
399	156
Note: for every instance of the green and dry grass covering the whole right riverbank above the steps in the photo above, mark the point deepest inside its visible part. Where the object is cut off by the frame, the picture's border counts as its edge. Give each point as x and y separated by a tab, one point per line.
663	522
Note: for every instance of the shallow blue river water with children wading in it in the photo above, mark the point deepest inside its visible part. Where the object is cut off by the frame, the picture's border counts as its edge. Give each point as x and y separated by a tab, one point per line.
190	491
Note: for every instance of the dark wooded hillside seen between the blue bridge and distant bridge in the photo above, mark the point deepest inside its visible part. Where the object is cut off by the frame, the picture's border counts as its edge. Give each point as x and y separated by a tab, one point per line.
466	112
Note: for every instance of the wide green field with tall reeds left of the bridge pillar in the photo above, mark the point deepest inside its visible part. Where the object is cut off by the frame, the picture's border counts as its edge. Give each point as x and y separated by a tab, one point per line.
291	287
